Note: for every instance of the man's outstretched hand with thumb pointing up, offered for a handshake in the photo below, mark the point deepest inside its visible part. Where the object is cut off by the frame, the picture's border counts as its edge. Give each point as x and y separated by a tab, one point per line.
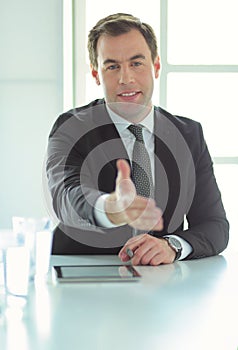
124	206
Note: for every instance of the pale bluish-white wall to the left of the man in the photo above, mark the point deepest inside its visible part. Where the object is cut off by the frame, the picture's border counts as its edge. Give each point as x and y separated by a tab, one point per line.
31	97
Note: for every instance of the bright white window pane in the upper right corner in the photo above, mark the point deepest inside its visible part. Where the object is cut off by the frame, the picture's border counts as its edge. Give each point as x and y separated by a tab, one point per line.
202	32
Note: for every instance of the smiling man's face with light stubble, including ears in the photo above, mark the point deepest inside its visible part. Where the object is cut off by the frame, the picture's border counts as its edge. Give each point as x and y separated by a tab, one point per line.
126	73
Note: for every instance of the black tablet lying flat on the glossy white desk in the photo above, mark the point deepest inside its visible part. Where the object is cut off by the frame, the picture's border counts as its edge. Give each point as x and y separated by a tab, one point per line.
96	273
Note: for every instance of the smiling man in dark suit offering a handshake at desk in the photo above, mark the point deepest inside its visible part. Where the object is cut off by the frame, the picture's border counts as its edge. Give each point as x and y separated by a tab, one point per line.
98	165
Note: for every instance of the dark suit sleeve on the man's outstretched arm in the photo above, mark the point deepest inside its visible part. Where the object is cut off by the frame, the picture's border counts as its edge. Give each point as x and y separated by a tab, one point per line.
72	191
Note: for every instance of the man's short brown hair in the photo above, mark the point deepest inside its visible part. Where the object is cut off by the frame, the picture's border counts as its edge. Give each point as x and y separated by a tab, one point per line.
118	24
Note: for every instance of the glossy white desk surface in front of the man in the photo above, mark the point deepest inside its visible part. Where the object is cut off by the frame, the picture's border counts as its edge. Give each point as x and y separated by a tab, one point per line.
188	305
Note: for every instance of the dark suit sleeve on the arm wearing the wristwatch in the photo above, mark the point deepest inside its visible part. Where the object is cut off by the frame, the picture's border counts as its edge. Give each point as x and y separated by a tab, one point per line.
208	228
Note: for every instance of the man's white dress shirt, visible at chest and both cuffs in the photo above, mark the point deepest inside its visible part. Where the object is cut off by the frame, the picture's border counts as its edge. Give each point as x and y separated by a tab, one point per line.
128	140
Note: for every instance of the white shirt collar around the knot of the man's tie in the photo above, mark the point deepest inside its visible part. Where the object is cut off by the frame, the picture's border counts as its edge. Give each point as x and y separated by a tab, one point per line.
122	124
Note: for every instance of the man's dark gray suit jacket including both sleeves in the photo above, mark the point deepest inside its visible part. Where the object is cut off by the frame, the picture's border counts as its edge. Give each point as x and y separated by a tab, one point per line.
81	165
